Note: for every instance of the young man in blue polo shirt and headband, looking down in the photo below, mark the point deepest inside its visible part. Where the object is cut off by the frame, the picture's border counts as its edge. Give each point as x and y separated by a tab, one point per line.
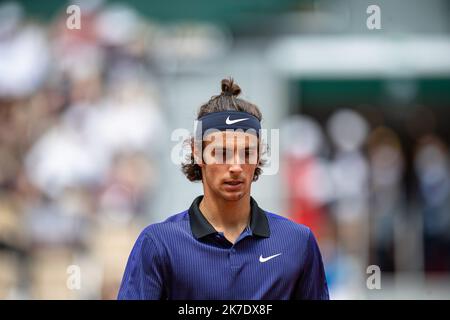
224	246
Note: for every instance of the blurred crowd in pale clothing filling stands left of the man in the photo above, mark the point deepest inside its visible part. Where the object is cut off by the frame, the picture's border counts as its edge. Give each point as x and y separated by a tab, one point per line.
79	120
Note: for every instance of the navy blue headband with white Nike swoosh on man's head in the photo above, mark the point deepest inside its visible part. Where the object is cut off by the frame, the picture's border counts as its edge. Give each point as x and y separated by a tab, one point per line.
228	120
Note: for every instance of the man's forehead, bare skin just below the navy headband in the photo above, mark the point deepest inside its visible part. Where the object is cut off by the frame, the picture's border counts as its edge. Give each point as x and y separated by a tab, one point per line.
231	139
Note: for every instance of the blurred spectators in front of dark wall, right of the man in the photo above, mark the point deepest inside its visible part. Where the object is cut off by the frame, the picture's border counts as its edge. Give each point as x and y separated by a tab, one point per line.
368	200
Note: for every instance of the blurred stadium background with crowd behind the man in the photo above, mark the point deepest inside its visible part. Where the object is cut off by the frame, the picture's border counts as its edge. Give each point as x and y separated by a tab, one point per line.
86	117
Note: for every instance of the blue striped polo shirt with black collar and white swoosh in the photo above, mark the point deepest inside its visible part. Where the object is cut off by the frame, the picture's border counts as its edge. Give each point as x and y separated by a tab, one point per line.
185	258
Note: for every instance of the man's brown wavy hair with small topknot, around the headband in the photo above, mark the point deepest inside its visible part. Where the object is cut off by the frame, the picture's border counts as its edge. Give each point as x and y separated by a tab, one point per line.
226	100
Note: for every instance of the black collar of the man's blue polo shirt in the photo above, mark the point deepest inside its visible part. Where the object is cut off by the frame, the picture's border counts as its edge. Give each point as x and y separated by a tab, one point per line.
200	227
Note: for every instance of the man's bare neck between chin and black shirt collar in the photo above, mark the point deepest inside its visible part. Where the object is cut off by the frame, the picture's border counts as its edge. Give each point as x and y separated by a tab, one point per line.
225	215
